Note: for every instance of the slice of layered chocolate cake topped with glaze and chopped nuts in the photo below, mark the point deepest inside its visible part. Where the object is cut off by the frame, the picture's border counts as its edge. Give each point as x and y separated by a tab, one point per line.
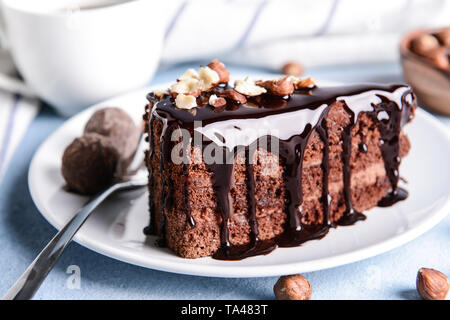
237	171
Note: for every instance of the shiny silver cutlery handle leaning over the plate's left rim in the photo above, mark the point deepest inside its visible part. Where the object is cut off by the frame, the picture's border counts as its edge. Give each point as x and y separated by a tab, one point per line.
30	281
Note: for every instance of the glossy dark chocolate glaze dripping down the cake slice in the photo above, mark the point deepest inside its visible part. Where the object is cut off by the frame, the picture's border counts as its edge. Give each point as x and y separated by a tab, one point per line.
308	111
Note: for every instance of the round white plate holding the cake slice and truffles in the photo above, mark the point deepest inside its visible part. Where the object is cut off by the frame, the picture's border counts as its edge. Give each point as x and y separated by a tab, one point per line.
115	229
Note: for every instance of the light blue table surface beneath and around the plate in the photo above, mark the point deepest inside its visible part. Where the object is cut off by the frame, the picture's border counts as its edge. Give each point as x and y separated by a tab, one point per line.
24	232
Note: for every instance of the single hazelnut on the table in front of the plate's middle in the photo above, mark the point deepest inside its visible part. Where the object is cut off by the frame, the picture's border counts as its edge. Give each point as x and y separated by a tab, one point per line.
292	287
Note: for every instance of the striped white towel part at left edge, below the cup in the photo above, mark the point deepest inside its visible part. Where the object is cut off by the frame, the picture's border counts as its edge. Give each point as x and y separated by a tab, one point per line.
16	114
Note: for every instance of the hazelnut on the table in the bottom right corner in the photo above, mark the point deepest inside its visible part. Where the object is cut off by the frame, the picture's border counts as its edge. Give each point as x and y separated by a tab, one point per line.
432	284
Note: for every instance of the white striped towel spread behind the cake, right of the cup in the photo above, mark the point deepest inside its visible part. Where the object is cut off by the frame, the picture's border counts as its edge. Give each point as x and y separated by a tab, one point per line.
268	33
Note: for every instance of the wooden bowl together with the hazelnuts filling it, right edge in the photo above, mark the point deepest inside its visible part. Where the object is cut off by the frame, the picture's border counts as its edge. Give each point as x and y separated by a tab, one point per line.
426	67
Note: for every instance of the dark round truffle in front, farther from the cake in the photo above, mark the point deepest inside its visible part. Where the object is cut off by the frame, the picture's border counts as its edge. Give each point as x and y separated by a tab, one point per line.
89	163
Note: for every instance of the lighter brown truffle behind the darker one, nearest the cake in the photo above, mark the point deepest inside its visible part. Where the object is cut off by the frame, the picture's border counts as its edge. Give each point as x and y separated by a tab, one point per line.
117	125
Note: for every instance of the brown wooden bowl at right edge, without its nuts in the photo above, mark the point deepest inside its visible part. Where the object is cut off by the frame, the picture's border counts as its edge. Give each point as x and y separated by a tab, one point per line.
430	83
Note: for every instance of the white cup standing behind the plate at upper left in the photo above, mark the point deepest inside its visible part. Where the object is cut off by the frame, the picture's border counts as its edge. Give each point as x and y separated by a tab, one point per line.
72	57
